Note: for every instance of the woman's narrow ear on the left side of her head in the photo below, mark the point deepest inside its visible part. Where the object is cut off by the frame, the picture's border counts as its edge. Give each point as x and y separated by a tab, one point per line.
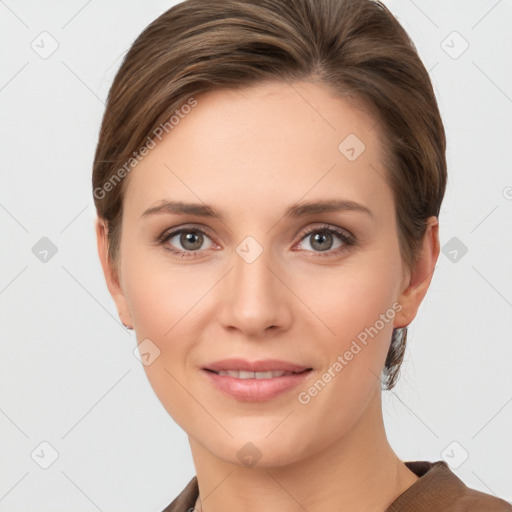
111	273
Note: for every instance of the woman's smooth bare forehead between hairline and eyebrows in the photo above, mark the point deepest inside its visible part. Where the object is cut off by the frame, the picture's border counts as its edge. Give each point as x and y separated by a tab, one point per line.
270	144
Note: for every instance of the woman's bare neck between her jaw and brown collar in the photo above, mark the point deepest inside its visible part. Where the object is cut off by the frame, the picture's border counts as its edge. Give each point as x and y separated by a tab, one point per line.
357	472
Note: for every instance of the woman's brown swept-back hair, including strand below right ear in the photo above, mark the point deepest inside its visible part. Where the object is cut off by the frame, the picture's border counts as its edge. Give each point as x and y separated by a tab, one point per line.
355	47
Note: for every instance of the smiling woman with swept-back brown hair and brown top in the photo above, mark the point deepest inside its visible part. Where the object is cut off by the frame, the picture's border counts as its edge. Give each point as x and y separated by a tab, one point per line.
268	180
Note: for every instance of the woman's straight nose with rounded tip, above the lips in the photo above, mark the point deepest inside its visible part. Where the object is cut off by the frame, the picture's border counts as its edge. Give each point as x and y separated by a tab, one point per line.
255	300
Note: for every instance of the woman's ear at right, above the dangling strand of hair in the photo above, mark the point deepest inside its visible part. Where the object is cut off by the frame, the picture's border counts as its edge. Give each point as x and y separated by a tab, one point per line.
417	280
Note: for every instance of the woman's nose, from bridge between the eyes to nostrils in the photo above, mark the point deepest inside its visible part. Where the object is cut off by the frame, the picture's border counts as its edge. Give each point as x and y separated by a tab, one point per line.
254	299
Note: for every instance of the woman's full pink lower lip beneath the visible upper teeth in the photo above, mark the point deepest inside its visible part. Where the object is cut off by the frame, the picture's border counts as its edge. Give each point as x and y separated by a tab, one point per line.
256	390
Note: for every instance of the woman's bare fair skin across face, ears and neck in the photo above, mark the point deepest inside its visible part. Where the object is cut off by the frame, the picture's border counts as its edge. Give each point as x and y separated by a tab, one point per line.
251	154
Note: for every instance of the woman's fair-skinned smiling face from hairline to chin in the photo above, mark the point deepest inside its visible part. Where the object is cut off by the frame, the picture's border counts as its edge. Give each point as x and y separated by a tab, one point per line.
252	284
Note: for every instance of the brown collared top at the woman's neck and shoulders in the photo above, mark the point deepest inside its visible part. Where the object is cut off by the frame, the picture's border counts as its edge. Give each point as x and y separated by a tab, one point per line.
437	490
